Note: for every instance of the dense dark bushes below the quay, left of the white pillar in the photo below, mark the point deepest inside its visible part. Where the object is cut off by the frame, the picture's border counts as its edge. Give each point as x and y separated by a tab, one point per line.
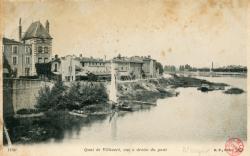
75	97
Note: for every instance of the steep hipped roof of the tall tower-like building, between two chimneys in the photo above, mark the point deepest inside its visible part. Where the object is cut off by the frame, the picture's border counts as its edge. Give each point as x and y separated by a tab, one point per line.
36	30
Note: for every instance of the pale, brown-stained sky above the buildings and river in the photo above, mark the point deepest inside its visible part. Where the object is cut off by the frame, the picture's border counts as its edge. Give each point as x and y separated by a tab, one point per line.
174	32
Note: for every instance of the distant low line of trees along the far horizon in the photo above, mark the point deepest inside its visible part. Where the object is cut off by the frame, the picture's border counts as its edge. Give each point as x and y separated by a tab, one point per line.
231	68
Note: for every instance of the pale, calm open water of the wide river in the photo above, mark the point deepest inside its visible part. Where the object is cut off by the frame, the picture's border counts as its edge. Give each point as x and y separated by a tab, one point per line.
191	116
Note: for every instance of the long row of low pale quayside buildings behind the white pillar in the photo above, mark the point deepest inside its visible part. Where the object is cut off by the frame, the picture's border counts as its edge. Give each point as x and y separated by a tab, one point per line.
72	68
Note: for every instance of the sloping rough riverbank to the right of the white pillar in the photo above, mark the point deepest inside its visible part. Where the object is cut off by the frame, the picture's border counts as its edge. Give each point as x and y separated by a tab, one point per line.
153	89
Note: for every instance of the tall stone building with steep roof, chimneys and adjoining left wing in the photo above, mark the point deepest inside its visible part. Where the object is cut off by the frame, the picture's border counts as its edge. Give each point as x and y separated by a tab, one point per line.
34	46
